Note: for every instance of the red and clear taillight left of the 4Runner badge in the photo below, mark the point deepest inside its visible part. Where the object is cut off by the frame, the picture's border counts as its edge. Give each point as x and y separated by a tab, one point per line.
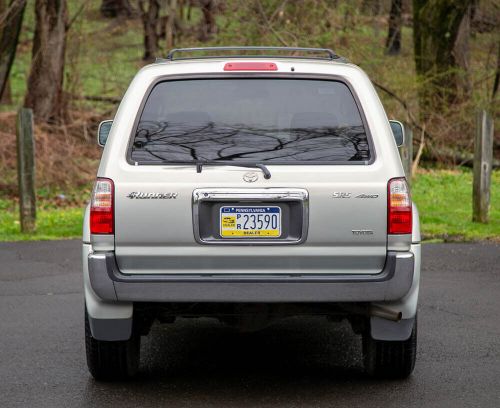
101	207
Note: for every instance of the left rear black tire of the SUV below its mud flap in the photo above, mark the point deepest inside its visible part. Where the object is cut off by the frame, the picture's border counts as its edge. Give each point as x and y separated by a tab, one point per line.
111	360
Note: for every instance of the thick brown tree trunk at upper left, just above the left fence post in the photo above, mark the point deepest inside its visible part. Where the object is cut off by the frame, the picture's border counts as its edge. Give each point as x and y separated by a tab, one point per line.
45	82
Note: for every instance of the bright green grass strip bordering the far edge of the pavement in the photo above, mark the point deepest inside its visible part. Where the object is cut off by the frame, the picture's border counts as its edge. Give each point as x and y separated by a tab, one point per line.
443	198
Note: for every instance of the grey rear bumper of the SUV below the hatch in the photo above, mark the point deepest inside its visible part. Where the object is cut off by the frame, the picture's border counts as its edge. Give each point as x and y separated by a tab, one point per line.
391	284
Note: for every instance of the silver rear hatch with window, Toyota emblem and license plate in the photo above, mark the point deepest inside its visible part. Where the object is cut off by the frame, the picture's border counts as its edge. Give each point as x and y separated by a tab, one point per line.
196	197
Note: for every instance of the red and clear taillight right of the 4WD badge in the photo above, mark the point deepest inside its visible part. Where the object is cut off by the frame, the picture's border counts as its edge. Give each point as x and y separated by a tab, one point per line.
399	207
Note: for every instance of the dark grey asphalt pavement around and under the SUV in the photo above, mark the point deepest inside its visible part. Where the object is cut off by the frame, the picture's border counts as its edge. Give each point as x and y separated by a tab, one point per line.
299	362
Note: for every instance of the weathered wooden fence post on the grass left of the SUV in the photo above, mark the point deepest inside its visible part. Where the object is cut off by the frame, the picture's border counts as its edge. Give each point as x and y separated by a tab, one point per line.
26	169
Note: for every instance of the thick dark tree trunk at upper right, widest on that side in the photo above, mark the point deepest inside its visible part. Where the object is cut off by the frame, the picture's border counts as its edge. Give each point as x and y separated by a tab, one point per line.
436	26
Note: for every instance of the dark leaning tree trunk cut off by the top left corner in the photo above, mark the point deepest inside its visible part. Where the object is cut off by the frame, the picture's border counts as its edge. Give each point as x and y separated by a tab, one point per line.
11	19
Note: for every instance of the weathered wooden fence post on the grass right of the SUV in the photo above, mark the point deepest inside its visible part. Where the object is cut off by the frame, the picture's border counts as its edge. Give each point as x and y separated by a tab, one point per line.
483	158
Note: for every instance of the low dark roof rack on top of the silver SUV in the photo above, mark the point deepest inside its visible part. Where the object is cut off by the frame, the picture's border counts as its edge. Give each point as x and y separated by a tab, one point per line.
328	53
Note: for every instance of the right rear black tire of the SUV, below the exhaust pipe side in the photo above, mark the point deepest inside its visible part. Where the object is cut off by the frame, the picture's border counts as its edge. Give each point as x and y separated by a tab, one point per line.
390	359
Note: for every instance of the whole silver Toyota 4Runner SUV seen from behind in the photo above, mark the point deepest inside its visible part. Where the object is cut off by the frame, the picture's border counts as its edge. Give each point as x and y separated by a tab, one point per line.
250	188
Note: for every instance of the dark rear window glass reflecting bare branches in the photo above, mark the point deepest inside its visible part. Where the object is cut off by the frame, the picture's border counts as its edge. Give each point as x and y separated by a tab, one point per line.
250	120
